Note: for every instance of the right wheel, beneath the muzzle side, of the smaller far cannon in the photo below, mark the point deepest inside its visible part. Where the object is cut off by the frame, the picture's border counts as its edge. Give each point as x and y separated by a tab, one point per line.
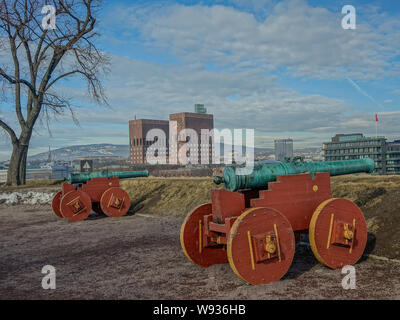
115	202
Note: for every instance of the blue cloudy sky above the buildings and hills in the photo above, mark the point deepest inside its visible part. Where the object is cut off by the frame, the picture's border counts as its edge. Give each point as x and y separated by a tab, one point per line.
285	68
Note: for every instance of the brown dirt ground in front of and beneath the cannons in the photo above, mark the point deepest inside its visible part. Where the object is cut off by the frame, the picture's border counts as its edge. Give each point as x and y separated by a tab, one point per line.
139	257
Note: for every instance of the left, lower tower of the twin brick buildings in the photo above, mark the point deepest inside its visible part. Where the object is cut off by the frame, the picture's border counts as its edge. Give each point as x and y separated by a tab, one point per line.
138	144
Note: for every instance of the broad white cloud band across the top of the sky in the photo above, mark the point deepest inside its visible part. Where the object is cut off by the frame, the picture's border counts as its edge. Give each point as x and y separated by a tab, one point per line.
306	41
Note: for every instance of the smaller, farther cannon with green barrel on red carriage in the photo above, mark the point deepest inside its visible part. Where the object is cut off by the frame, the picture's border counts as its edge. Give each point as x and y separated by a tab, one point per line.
97	191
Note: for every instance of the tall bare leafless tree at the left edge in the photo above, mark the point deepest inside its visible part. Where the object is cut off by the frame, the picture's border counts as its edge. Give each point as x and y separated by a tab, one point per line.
41	58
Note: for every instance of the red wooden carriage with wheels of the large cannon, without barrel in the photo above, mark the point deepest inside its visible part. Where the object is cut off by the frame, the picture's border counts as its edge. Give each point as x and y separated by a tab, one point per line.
290	203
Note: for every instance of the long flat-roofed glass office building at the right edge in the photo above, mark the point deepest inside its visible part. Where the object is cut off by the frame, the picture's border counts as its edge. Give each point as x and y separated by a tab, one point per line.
356	146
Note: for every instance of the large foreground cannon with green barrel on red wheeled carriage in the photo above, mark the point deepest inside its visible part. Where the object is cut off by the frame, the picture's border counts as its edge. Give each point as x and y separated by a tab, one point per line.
255	221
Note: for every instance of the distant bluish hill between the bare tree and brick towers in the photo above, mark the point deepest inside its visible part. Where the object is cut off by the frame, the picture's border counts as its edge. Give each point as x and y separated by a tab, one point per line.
84	151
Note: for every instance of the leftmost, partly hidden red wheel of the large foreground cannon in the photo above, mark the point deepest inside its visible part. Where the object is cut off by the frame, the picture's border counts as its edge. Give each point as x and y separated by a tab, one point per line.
191	237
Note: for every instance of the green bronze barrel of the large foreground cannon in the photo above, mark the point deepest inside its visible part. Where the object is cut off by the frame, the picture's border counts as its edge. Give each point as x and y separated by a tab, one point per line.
265	173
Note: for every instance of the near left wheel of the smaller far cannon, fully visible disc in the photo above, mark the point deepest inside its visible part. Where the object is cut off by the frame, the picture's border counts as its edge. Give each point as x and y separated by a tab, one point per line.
75	205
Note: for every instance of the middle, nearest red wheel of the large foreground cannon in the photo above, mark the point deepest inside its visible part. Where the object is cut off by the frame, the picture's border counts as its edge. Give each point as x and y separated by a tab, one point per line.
261	245
